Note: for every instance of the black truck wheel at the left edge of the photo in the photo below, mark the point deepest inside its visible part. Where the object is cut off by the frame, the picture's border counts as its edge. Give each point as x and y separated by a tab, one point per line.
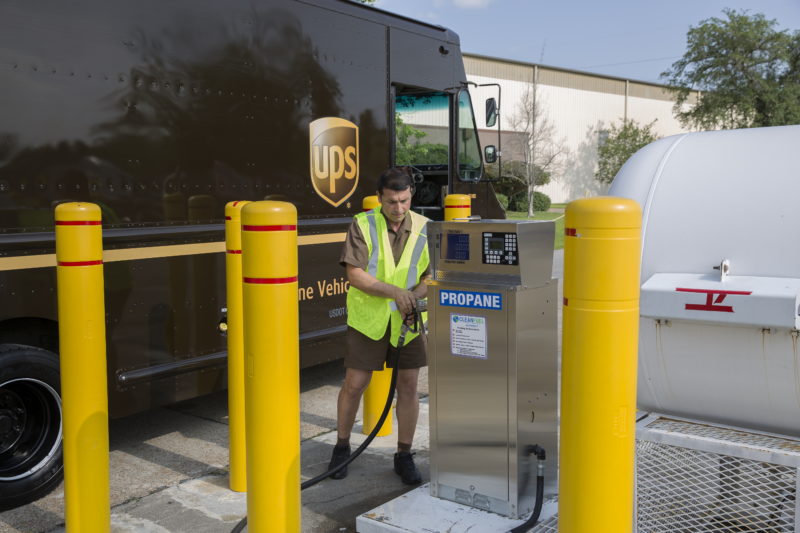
30	424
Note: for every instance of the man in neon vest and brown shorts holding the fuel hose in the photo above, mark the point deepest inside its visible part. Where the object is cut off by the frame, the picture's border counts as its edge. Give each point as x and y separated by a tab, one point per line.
385	255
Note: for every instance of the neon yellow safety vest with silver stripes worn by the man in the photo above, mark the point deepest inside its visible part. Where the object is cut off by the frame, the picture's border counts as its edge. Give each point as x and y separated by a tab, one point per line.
370	314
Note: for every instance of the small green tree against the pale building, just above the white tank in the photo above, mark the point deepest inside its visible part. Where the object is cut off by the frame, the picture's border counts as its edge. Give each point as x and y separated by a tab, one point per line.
618	144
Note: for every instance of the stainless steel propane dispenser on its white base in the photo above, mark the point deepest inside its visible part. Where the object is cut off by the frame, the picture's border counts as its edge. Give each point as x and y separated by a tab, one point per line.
493	373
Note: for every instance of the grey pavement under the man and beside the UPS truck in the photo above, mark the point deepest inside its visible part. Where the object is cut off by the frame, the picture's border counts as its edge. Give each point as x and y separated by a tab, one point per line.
169	466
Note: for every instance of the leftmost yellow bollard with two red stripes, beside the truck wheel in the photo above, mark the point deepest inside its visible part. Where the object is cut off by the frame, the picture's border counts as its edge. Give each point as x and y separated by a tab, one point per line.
84	393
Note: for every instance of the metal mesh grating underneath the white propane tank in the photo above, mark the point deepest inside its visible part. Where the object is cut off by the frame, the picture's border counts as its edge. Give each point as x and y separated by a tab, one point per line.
690	489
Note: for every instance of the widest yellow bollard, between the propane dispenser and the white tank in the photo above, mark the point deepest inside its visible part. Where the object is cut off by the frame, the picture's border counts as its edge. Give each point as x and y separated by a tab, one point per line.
598	381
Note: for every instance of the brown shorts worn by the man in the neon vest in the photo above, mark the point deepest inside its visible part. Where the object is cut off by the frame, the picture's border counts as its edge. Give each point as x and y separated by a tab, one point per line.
364	353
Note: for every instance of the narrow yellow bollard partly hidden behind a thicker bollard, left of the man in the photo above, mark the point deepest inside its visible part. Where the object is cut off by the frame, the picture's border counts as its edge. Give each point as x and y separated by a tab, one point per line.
235	332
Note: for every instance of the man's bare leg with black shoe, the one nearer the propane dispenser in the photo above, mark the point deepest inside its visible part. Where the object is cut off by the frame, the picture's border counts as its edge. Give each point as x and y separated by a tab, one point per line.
407	414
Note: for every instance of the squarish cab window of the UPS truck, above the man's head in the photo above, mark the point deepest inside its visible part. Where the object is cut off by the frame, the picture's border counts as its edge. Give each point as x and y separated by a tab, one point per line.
421	124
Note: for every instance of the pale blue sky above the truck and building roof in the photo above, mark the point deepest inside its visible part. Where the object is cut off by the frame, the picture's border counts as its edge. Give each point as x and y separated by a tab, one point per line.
633	39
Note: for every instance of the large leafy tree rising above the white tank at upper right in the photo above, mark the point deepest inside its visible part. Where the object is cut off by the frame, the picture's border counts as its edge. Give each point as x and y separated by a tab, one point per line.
748	73
